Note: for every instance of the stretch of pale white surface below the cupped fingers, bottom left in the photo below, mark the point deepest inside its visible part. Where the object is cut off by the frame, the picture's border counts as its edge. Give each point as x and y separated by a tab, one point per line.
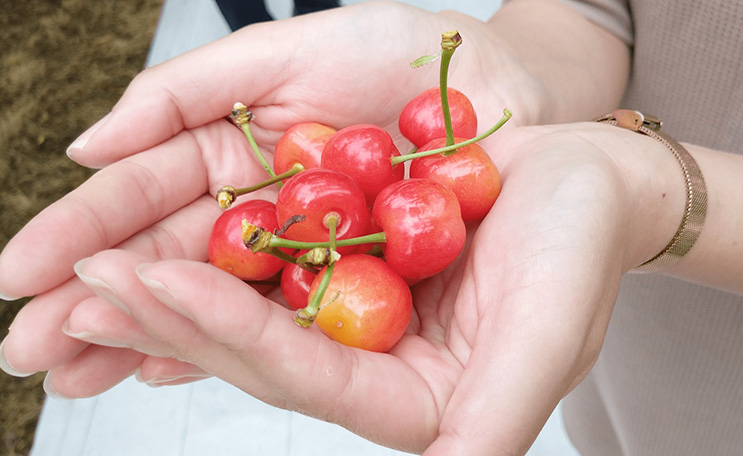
209	417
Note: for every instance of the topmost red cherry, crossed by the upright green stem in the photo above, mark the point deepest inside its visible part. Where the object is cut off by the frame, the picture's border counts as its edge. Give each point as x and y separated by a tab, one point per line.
422	119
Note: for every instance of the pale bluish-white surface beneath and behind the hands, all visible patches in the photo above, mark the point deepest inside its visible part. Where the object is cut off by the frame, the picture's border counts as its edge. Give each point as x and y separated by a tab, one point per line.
211	417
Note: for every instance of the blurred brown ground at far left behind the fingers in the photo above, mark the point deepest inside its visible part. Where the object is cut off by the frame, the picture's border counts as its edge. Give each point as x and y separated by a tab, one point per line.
63	65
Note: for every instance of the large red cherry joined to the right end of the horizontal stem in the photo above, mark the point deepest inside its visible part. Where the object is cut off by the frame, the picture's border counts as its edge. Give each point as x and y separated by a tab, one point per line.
423	227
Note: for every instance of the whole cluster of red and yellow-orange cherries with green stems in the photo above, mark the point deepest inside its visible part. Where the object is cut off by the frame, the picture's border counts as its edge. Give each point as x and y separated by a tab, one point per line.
350	233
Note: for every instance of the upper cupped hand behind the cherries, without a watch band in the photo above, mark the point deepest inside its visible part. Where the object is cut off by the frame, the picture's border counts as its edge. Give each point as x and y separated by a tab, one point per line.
166	148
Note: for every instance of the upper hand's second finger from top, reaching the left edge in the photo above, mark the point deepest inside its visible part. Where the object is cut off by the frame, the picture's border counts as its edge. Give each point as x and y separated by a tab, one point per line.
110	207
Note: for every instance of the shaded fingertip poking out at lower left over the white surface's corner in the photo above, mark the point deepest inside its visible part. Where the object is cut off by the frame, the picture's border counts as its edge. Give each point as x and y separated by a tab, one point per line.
95	370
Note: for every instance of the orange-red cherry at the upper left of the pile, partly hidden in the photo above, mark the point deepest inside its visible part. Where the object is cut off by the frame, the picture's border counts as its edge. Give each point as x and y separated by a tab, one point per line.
302	143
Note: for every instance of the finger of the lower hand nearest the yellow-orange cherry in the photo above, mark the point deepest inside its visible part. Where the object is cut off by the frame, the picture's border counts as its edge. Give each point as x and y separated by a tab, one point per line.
292	367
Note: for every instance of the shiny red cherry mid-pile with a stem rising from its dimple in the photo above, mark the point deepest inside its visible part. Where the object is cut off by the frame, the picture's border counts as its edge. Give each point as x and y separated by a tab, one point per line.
316	194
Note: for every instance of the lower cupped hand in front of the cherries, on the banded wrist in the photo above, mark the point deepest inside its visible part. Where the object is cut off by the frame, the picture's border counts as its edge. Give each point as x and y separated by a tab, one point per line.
498	339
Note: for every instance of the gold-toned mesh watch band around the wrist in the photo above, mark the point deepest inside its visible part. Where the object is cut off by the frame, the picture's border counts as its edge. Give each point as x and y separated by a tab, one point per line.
696	190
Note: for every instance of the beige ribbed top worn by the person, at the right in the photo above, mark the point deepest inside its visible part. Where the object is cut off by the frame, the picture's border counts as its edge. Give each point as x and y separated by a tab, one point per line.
669	380
